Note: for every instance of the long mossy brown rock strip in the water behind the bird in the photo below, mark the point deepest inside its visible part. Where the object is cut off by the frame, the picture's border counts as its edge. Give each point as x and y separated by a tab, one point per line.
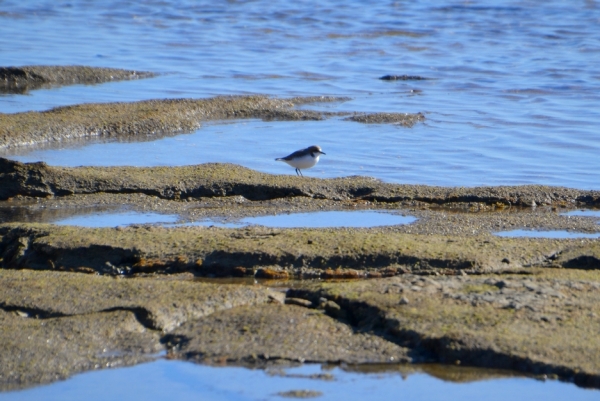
164	117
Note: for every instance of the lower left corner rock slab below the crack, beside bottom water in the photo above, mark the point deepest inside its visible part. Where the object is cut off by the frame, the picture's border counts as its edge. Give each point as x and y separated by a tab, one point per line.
37	351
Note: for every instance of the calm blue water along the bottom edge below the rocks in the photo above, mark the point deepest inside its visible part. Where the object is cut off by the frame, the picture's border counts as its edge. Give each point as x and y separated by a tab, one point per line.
182	381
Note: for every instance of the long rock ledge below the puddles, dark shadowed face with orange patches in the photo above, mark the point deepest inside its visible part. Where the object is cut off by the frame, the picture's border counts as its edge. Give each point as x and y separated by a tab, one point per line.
326	253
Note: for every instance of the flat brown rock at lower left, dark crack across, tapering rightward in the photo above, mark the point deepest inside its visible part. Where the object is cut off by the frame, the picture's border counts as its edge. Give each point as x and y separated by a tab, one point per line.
58	324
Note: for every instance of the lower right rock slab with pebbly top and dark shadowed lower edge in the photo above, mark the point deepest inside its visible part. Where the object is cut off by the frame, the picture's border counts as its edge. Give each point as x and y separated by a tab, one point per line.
543	324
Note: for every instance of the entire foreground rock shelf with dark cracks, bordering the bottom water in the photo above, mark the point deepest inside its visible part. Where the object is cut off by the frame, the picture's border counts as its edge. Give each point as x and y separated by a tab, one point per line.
543	324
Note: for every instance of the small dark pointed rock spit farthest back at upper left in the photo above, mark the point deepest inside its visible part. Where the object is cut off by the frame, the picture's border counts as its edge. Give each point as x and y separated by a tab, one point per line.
23	79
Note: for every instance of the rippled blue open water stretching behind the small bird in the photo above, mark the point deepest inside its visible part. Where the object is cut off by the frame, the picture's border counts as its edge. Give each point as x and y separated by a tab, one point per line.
512	97
